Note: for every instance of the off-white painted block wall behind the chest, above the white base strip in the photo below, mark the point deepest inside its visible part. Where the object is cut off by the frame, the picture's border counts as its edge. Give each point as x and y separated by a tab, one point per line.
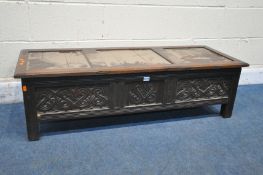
232	26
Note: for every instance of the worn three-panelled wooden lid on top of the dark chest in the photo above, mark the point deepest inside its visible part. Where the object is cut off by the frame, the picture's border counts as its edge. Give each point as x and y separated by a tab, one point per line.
73	62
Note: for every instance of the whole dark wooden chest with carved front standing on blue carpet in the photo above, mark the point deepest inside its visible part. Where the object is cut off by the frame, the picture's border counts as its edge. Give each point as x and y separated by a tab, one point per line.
66	84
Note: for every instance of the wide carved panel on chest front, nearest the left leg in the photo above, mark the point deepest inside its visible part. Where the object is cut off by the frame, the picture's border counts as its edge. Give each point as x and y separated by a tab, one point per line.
71	98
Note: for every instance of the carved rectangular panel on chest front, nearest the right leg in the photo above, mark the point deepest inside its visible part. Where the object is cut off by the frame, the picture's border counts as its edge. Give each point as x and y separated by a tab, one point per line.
202	88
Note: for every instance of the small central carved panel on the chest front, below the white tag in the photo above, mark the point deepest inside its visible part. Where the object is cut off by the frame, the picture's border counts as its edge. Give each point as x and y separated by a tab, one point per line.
143	93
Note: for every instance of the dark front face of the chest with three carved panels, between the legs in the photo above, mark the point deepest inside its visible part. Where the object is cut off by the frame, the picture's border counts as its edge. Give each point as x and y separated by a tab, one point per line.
57	98
